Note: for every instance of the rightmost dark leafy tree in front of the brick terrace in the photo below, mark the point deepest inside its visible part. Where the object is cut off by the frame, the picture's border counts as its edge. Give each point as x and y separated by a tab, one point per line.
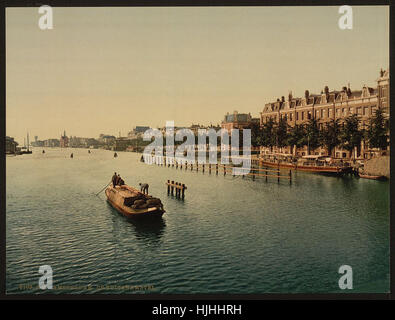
377	131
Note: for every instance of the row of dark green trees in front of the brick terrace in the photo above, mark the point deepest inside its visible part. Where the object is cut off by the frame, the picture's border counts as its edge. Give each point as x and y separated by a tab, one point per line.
347	135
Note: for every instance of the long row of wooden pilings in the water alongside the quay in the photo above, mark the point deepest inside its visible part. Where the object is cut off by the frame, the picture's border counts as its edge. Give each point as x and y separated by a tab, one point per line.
254	172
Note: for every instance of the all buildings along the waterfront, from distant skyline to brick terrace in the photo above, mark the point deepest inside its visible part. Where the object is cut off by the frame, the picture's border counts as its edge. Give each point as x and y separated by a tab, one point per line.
324	107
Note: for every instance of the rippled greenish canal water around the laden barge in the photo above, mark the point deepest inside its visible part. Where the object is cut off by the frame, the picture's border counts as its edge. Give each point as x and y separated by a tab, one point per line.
229	235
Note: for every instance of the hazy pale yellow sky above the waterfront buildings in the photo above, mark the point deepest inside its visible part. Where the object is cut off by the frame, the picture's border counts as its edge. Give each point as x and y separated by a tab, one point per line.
106	70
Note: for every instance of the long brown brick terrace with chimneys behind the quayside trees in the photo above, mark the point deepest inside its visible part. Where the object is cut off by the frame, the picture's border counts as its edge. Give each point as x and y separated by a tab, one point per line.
324	107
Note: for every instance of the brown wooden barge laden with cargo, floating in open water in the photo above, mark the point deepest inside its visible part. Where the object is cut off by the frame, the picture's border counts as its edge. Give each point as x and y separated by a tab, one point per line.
133	203
